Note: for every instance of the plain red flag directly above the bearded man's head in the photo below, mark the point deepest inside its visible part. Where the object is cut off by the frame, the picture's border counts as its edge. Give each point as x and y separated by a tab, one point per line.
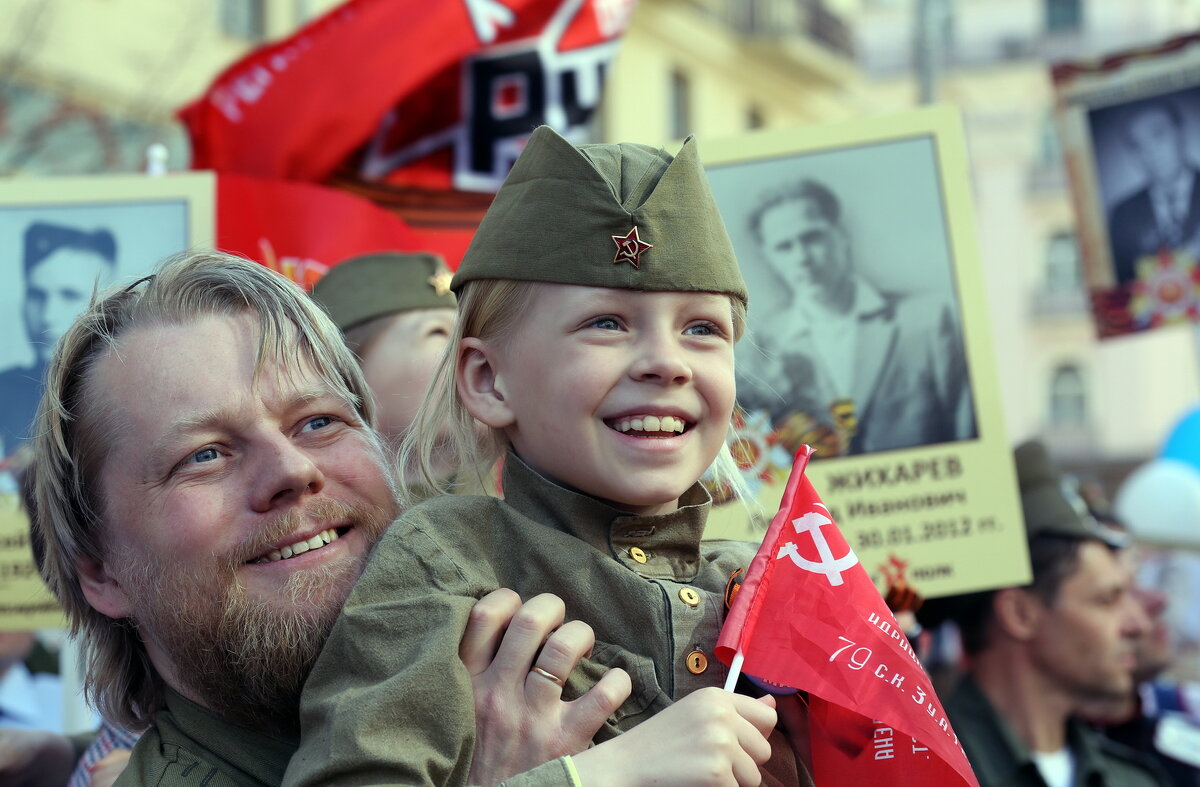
302	230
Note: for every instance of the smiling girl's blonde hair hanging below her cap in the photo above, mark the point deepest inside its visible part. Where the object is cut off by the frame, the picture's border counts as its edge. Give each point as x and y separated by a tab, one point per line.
490	309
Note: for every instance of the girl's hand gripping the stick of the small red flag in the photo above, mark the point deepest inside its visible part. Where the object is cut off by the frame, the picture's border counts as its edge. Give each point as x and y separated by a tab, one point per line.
710	738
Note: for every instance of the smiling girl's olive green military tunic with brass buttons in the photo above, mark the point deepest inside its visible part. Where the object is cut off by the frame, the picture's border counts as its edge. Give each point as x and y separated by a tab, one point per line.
389	701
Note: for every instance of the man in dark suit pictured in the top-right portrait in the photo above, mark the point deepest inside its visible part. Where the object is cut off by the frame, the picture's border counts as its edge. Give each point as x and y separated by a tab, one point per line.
1163	214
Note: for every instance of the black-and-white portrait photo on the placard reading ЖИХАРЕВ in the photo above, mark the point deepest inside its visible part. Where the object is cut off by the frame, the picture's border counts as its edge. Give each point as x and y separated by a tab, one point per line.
855	343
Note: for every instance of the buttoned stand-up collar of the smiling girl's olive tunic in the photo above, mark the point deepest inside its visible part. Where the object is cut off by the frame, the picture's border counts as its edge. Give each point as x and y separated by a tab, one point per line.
669	542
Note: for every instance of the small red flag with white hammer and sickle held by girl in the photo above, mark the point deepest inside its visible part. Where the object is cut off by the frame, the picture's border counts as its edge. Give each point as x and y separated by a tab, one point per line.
809	617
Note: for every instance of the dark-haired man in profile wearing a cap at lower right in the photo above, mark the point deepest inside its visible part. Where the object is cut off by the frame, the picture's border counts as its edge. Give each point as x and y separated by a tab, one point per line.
1037	654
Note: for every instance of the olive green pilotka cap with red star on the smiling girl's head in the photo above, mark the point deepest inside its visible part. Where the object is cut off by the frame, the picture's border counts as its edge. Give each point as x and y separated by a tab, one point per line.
623	215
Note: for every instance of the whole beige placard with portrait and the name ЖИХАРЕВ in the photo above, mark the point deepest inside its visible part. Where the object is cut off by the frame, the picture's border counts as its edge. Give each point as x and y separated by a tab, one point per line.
893	383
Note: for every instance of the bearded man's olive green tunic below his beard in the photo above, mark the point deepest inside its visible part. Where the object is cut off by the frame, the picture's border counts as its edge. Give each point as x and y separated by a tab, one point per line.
193	747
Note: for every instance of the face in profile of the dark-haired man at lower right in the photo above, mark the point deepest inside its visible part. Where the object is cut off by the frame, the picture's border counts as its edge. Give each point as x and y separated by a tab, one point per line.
1087	640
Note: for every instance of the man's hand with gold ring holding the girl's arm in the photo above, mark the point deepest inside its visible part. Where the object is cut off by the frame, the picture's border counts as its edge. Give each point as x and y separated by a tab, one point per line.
521	720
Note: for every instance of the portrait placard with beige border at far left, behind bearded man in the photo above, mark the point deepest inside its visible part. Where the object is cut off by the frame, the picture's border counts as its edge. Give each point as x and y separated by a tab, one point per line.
59	239
